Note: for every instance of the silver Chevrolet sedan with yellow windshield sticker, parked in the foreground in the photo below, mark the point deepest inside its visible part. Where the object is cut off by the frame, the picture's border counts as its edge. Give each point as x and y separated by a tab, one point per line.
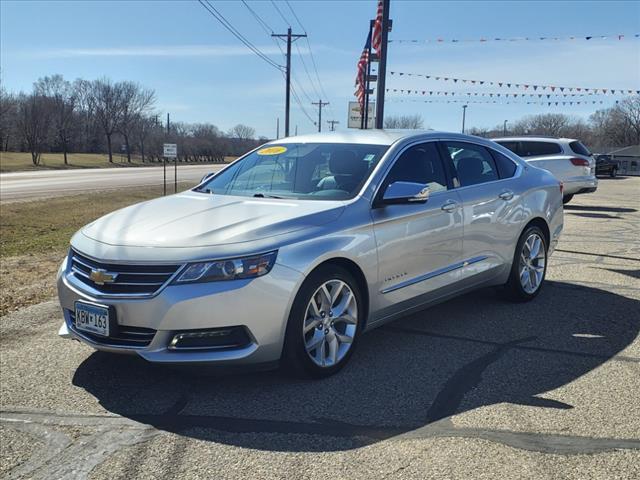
293	251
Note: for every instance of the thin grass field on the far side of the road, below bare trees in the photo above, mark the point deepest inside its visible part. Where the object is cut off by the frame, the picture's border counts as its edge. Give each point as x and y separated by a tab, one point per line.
21	161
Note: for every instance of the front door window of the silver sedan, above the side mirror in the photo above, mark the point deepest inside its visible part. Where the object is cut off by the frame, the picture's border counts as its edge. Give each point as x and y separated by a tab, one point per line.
419	164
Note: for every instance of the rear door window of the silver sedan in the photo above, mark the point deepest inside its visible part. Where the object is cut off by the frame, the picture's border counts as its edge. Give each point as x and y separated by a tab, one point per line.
473	164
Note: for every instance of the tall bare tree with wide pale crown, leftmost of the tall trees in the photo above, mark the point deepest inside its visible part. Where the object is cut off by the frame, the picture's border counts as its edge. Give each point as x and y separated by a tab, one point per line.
63	100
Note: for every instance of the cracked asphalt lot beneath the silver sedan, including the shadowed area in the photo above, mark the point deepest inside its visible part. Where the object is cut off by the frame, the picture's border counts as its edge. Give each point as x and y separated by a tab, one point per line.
473	388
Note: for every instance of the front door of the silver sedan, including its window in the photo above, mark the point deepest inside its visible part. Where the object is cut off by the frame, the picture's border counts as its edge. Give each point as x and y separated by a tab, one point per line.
419	244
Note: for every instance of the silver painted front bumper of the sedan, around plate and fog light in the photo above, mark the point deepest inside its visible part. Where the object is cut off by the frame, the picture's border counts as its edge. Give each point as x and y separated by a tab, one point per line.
260	306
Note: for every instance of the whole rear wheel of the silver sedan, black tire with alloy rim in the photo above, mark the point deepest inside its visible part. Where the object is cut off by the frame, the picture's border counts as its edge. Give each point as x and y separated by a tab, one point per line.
516	288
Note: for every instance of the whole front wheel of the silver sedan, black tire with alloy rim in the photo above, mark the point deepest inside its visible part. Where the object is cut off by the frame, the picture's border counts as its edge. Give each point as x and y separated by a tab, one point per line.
324	328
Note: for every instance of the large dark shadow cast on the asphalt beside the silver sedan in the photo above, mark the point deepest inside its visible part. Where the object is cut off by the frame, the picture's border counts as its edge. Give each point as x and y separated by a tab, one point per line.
473	351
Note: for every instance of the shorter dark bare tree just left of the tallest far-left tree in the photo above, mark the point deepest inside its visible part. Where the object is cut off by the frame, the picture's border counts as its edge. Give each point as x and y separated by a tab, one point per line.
33	121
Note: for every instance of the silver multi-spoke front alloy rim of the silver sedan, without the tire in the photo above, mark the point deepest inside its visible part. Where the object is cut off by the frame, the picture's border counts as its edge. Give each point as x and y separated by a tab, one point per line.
330	325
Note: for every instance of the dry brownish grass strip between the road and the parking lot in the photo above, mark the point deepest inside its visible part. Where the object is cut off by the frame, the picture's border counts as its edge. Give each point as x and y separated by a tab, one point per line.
34	237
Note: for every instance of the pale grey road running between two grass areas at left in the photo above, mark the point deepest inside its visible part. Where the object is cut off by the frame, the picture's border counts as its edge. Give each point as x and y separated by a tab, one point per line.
47	183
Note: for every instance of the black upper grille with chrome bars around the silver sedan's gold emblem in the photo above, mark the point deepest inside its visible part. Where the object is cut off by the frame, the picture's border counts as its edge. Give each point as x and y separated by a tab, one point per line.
131	279
